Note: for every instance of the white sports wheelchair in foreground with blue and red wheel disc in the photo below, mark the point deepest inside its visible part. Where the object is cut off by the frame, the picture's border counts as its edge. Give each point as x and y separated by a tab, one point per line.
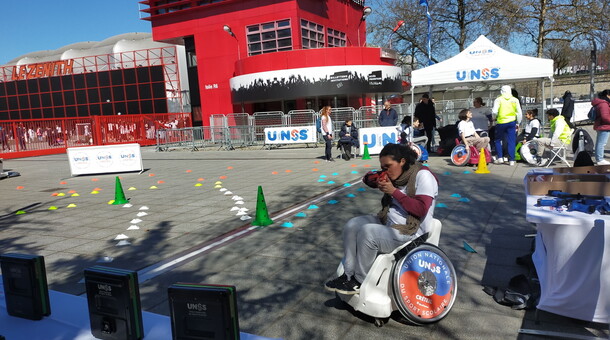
417	279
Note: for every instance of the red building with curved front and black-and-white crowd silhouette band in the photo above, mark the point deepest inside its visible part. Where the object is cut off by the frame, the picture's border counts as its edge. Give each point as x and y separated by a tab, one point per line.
274	55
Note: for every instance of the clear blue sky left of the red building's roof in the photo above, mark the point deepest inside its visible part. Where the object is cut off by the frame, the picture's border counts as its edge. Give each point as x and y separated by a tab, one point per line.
35	25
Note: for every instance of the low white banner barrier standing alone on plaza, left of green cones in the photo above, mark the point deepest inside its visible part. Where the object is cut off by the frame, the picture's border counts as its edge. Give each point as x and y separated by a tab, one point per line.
105	159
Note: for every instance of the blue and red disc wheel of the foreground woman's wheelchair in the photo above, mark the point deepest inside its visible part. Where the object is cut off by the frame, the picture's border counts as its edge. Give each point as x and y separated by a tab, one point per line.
424	285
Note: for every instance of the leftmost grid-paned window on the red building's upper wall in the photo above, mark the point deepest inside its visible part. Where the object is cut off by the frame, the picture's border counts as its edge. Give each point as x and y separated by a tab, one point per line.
269	37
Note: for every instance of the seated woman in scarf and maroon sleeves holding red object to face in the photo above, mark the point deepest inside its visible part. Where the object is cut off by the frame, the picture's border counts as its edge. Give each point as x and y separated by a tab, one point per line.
407	211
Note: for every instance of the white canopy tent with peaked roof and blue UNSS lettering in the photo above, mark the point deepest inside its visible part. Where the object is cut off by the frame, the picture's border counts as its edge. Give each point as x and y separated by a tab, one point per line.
482	63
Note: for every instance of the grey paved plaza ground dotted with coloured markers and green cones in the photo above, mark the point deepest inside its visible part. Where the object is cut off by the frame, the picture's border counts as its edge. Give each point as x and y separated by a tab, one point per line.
189	231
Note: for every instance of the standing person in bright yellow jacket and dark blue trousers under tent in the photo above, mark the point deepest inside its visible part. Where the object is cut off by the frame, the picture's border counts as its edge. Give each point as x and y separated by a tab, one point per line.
507	111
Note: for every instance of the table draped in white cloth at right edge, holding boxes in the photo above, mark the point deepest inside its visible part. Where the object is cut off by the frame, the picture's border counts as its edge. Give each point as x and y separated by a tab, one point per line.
572	259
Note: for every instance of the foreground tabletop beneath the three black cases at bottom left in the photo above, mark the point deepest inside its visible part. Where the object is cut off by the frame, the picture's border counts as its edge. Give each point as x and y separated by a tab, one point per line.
69	319
